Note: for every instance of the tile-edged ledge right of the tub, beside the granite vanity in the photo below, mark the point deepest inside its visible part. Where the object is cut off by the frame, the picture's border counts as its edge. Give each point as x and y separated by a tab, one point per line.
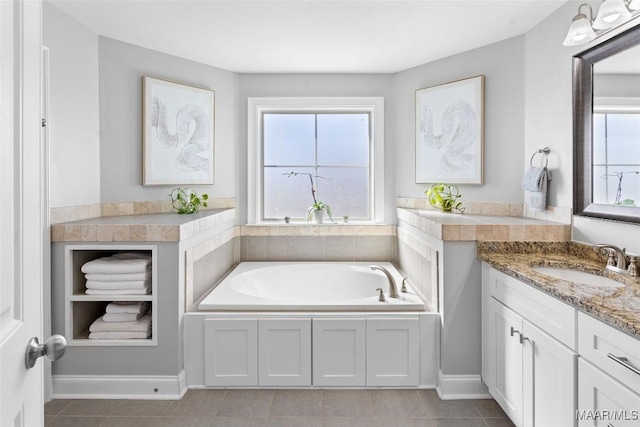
473	227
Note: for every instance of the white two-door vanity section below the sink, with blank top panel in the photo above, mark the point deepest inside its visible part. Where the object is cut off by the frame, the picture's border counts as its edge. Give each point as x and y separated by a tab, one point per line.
529	371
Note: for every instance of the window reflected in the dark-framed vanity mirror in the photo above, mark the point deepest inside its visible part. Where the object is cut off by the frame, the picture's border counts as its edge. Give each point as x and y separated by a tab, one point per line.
616	155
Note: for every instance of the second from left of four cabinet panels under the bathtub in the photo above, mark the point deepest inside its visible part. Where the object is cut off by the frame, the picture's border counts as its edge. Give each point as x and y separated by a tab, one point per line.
284	352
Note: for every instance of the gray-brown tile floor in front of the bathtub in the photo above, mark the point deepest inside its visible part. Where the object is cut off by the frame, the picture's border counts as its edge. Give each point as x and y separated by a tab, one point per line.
281	408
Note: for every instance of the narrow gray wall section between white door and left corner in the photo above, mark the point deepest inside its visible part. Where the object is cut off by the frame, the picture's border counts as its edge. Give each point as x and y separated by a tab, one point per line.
74	125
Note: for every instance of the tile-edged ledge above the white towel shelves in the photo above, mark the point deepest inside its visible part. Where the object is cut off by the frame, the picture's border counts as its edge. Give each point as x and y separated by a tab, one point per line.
157	227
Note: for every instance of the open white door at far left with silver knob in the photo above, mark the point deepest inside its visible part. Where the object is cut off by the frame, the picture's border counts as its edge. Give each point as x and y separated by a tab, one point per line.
21	225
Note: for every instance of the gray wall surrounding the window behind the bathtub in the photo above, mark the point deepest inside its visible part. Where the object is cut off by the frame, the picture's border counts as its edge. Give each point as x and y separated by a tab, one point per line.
292	85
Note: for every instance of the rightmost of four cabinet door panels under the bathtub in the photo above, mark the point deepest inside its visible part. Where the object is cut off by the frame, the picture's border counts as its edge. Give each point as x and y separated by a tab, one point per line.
393	352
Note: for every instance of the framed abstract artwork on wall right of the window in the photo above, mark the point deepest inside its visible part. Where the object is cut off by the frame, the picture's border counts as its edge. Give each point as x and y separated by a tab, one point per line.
450	132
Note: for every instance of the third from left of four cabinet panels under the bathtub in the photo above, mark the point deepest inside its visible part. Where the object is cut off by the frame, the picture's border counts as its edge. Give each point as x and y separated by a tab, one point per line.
339	352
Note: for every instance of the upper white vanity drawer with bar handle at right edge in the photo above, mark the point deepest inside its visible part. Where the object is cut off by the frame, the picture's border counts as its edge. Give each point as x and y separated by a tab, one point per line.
597	341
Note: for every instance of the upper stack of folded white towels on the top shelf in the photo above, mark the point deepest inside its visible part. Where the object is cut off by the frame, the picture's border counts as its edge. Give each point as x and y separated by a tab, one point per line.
127	273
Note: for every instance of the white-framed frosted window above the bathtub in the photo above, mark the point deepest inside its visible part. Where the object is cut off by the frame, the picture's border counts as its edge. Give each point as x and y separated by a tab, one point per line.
333	140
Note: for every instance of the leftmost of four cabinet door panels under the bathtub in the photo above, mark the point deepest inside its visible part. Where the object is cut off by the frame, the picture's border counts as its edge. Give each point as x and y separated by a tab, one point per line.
231	352
